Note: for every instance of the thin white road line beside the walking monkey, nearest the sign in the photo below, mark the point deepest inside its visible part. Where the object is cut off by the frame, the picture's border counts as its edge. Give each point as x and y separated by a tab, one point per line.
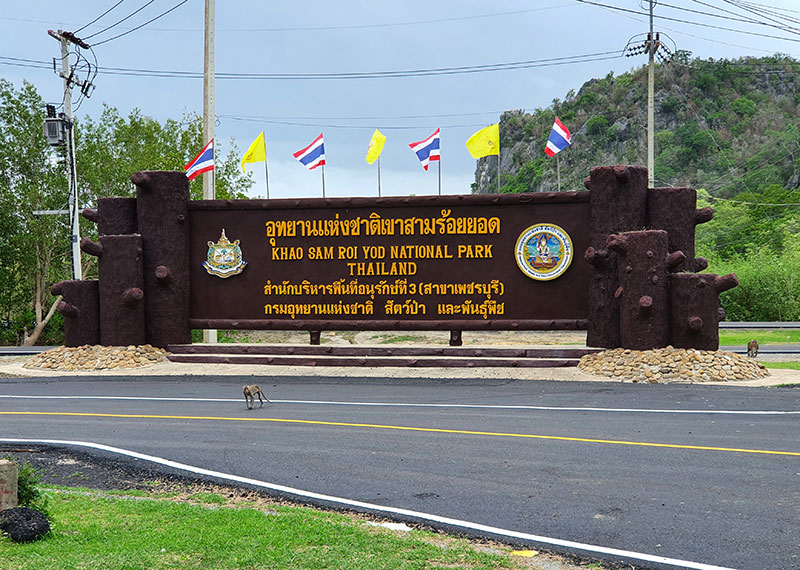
420	405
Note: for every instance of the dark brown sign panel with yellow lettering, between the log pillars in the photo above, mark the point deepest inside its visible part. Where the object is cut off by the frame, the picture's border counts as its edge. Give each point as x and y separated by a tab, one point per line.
450	262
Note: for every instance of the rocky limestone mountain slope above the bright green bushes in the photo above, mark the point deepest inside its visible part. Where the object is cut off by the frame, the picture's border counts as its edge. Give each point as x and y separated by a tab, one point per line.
727	126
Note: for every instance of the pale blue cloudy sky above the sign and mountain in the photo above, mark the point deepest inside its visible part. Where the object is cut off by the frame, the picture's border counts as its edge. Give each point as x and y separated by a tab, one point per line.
557	44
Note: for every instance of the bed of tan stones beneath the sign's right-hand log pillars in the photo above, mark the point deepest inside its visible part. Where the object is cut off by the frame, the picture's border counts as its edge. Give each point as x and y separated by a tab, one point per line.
672	365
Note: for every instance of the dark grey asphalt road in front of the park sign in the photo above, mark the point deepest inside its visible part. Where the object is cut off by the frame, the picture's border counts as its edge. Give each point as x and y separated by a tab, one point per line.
666	470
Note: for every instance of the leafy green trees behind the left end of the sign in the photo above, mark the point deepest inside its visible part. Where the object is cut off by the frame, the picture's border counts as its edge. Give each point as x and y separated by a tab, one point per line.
35	251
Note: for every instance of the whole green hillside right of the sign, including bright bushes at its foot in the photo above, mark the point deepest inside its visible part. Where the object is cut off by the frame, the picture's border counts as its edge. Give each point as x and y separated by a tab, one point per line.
728	128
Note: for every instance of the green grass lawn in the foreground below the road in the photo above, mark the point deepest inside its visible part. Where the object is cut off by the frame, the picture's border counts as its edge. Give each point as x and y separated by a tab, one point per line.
94	531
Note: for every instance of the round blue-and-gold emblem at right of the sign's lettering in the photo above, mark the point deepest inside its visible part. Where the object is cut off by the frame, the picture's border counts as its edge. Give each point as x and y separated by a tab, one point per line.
543	252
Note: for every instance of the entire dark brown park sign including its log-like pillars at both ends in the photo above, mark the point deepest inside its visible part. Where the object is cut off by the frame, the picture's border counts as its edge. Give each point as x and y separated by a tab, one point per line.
605	260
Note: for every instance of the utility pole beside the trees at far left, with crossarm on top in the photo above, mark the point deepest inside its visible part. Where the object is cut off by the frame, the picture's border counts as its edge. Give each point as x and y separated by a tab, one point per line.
66	38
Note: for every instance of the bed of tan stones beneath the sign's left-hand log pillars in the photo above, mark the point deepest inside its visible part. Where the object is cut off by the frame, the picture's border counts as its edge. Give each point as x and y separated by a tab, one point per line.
97	357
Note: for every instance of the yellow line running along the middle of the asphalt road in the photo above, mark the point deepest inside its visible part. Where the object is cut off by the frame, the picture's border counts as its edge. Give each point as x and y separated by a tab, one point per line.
409	428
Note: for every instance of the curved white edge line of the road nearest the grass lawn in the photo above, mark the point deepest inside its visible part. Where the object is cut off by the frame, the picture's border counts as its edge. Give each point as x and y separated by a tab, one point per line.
381	508
